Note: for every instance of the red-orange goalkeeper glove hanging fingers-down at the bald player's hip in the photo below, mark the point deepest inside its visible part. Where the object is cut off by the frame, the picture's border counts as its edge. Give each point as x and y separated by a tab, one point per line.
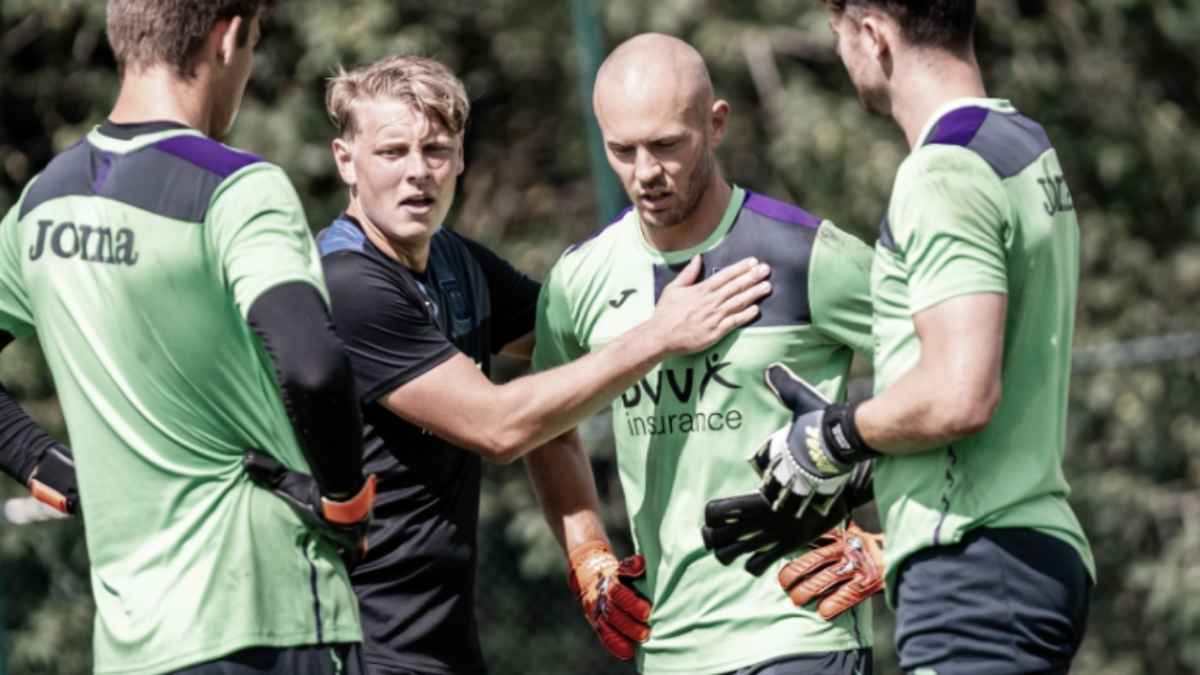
614	608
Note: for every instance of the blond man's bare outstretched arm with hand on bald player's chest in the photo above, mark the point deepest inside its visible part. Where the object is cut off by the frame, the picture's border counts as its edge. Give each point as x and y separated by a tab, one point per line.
505	422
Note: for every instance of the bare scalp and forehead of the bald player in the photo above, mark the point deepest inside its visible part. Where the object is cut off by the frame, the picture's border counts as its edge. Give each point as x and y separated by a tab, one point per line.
655	69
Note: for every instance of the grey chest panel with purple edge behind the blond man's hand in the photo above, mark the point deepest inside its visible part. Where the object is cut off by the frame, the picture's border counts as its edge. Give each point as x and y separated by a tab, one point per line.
777	234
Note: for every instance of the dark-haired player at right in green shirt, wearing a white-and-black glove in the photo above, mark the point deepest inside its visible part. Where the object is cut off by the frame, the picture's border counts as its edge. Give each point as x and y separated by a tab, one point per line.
974	289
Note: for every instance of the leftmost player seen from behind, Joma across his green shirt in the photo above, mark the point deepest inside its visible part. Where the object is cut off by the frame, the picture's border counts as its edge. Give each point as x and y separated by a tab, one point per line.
165	276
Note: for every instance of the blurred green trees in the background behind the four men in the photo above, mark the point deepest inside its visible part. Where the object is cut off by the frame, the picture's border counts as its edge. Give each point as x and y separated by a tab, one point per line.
1115	82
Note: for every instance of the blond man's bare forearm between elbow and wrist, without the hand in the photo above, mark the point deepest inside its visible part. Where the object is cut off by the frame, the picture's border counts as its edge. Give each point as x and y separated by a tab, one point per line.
530	411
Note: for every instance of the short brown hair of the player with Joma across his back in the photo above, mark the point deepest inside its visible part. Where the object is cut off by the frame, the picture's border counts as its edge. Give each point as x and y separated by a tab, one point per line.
146	33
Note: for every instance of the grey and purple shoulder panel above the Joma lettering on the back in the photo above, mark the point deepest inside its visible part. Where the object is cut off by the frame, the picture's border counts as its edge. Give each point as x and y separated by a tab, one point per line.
175	178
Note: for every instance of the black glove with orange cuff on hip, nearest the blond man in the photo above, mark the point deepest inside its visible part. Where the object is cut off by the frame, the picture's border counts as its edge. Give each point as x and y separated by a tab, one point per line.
343	522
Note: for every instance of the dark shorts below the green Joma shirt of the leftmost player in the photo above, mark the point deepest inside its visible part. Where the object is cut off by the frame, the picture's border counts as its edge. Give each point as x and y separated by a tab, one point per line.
323	660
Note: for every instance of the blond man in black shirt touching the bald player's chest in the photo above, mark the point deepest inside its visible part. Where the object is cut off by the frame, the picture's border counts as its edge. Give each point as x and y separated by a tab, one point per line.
423	310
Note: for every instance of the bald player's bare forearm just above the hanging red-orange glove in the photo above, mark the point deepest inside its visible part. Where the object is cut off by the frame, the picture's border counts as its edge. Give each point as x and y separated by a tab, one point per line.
562	479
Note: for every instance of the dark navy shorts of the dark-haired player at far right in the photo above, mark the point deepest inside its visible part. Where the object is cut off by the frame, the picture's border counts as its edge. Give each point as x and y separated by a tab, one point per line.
1001	602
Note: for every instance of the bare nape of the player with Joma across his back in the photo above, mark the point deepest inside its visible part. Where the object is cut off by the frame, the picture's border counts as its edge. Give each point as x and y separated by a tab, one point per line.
159	94
